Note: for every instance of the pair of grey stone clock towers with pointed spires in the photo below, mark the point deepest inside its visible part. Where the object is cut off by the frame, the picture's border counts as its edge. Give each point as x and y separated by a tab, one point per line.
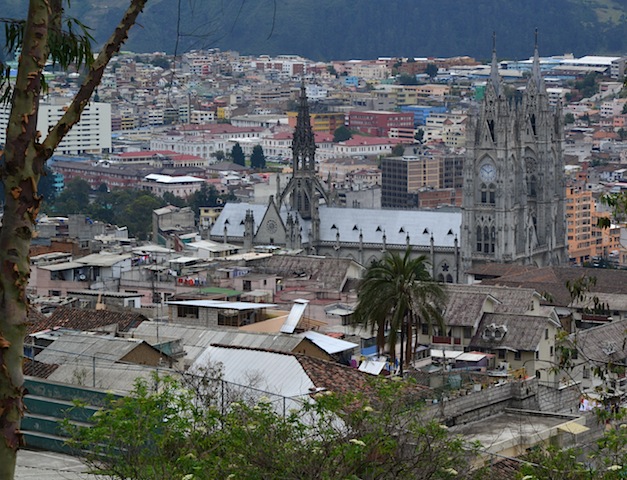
514	186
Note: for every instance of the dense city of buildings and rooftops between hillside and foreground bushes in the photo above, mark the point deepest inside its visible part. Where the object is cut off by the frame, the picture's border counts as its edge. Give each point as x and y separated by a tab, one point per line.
280	185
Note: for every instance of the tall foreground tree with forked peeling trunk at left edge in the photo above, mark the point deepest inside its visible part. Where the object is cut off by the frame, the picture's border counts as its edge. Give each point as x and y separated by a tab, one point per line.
40	37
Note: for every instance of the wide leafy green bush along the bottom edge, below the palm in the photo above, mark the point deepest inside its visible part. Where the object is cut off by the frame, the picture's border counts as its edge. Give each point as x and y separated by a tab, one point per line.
171	432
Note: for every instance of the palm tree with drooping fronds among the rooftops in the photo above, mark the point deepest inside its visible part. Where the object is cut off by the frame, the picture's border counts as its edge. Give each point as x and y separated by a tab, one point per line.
398	294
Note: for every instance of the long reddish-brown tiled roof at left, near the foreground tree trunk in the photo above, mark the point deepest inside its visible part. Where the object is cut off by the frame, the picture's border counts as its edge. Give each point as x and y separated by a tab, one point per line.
86	319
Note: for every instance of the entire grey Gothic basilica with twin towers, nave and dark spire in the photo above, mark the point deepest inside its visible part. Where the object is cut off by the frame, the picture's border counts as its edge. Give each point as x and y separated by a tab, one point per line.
512	210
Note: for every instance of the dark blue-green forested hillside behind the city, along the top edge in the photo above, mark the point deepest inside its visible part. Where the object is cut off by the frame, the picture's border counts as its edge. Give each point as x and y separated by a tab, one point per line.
346	29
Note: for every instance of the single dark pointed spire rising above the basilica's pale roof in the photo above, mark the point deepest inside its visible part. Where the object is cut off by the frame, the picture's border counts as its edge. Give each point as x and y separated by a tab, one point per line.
304	188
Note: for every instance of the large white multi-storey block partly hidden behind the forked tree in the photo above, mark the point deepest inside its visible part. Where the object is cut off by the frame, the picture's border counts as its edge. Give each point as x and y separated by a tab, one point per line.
92	134
